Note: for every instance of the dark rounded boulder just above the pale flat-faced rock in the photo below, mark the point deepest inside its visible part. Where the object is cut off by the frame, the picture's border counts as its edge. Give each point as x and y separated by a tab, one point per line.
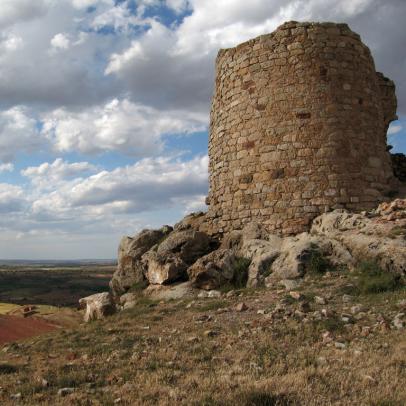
188	245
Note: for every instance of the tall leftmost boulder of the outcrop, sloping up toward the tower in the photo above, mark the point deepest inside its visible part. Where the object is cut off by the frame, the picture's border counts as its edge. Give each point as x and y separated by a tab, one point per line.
130	270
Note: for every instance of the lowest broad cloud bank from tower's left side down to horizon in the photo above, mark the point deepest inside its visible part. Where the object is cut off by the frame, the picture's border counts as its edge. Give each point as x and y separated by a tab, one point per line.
85	216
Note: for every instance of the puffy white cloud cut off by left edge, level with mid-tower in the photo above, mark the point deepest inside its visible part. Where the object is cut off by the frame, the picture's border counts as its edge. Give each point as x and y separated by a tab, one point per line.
18	133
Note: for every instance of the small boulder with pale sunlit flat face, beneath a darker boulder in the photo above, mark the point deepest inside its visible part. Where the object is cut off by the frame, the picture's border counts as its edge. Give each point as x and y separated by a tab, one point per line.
163	268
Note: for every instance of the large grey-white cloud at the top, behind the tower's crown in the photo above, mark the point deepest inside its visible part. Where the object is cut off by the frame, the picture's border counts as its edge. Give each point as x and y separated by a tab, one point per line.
175	67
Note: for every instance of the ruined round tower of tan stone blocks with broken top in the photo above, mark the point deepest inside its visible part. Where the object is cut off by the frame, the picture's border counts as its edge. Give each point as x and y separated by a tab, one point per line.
298	127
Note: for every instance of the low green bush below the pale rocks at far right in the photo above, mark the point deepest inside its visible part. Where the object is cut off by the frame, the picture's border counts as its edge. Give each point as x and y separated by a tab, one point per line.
372	279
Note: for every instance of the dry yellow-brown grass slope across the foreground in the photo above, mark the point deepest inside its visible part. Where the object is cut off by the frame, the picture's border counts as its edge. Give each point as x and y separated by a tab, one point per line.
209	354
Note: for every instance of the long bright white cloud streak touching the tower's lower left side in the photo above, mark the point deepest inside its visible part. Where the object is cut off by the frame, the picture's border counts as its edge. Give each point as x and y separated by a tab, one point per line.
148	184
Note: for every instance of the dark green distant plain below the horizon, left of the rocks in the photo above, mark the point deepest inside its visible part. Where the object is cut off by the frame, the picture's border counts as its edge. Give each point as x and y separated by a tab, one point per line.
52	284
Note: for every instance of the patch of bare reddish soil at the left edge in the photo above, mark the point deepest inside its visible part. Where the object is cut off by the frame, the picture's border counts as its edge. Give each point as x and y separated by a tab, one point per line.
14	328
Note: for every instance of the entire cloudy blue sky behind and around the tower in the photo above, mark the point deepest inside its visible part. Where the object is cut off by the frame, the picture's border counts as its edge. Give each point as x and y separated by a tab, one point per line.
104	109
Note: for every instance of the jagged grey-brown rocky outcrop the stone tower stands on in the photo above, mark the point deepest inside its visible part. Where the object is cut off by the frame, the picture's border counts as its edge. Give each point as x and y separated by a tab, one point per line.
184	262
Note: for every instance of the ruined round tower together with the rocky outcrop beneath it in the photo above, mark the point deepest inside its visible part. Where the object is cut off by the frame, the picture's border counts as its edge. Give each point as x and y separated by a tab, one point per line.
300	174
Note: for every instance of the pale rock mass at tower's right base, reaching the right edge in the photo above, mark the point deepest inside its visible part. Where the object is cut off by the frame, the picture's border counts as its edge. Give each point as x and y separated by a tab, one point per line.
375	238
